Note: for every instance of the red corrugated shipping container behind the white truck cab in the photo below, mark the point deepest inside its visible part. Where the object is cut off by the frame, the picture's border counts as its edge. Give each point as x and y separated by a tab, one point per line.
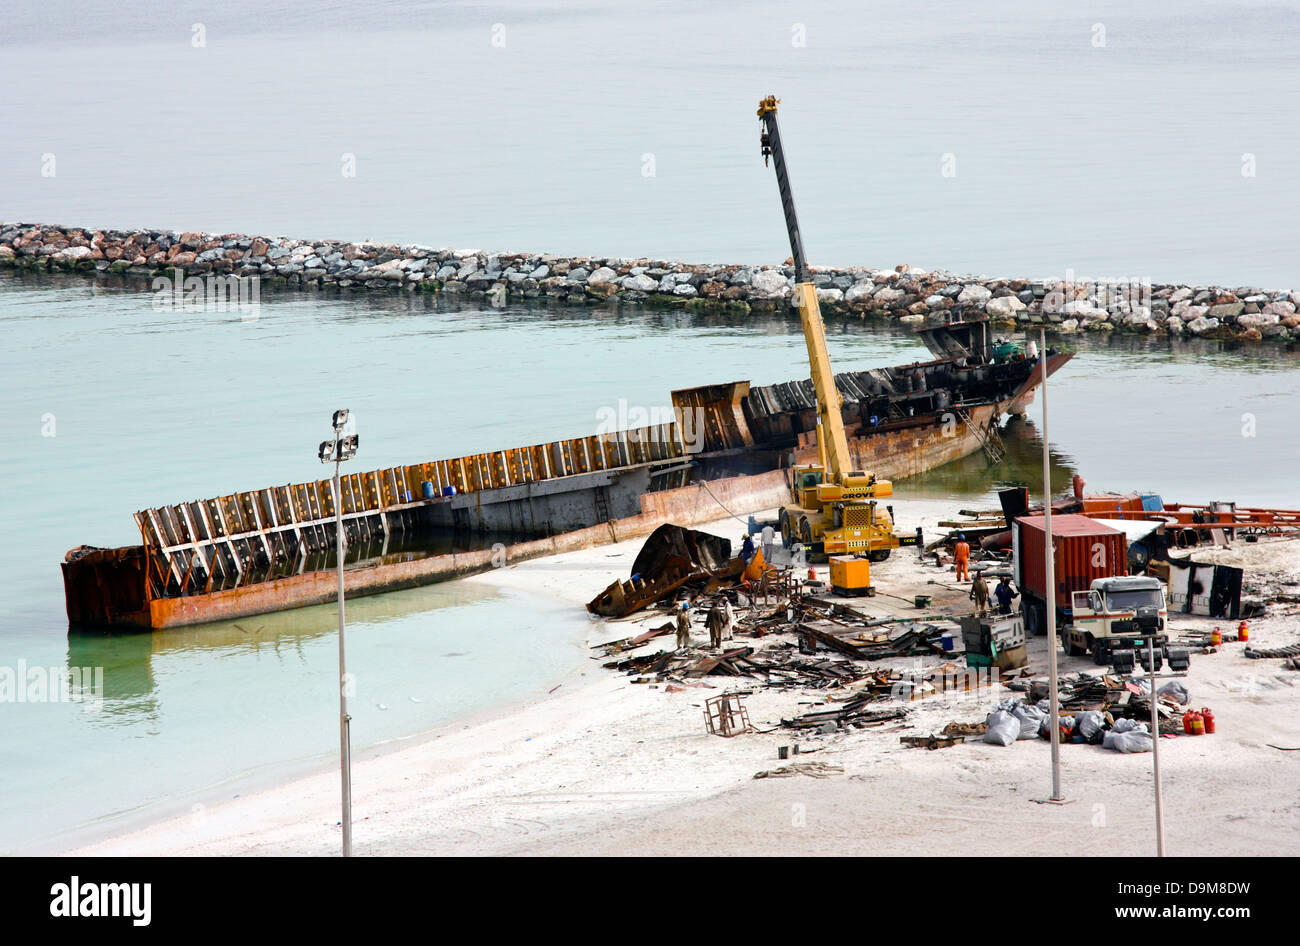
1084	550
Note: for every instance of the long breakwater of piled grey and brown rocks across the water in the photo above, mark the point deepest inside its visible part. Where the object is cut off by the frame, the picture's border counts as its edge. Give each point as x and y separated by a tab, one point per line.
1065	305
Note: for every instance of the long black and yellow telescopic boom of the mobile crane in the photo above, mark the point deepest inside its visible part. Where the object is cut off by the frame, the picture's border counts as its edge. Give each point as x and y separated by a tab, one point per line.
834	442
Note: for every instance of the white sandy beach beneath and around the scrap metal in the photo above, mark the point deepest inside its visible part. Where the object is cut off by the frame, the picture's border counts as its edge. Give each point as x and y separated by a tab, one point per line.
605	766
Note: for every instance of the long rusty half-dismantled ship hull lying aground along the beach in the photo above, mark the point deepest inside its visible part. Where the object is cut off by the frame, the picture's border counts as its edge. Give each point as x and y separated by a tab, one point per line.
727	453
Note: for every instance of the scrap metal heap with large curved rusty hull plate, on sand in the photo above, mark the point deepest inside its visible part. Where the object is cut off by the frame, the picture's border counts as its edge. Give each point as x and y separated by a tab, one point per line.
798	641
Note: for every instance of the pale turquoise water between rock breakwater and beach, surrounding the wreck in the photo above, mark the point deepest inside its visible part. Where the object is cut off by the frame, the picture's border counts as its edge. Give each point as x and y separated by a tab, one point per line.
153	407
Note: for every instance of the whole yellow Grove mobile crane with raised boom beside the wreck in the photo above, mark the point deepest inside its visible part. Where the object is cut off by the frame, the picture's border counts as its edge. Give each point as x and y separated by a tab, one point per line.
834	509
